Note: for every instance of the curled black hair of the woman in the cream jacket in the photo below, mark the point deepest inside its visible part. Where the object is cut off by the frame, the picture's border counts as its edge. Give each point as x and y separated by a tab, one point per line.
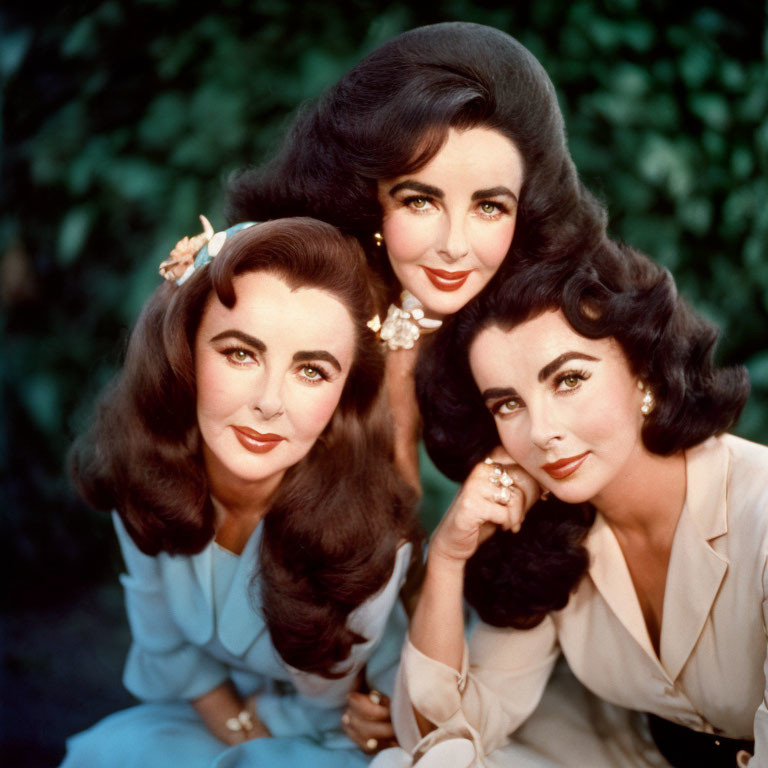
617	292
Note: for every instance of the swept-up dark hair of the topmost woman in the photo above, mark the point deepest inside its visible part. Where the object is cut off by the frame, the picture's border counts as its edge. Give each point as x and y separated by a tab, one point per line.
391	114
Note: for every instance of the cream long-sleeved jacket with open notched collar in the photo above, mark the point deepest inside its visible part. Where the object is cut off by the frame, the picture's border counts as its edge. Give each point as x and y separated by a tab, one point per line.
711	673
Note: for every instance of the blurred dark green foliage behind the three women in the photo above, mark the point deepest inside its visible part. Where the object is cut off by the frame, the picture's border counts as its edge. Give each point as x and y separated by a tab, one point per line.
121	120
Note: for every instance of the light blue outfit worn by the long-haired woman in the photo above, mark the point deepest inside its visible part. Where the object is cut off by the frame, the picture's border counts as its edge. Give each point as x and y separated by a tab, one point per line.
196	622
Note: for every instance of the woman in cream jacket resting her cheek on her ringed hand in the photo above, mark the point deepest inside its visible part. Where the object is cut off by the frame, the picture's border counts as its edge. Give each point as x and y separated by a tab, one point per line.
647	566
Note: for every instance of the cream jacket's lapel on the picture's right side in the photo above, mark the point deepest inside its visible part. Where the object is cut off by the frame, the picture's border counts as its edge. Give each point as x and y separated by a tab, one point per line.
696	571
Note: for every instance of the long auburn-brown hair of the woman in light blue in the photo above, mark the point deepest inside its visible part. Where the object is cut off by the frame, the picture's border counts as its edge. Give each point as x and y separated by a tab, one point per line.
333	526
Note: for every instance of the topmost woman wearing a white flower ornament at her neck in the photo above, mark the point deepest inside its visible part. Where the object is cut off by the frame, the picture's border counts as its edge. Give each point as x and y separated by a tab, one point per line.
444	153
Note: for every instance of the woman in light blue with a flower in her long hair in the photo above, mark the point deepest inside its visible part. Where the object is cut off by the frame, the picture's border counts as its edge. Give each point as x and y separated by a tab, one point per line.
266	532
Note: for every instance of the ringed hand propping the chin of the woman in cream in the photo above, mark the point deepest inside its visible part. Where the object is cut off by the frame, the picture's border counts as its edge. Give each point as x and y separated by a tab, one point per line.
497	493
